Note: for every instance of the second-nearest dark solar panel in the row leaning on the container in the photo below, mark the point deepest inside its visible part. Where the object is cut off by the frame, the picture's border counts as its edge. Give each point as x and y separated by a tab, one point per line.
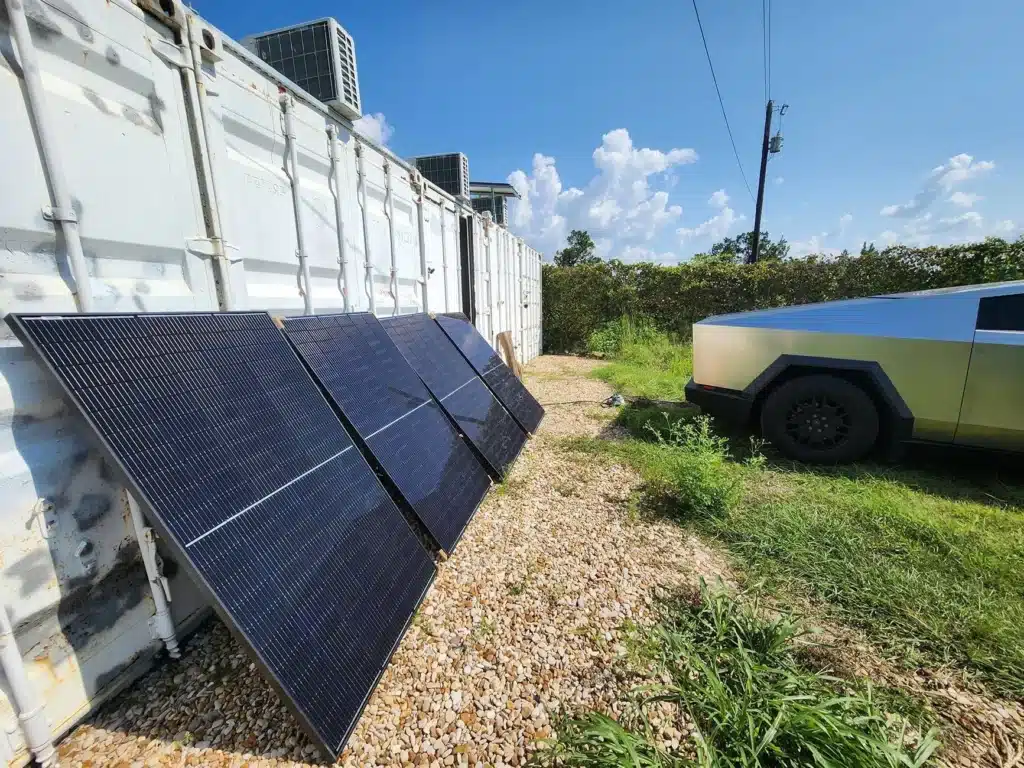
402	426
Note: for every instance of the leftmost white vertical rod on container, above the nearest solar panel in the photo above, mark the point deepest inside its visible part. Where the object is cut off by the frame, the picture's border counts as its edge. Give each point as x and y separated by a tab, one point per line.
62	212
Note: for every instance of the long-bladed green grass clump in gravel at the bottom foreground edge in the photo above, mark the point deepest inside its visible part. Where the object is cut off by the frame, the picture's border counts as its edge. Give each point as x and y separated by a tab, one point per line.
734	674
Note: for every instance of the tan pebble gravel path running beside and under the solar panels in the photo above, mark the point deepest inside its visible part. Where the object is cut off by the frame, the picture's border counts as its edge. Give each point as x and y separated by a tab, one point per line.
523	622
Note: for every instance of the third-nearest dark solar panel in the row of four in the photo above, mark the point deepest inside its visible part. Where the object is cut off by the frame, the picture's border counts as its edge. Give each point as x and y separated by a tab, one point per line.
460	392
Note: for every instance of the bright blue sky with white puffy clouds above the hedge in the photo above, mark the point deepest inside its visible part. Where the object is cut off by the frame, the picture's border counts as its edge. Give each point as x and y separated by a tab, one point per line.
905	122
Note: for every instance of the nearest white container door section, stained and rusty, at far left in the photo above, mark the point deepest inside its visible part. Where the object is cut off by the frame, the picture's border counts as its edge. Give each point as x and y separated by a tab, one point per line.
73	580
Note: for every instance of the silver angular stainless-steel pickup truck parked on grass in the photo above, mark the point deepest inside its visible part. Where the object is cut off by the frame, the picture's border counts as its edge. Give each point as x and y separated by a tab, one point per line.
832	382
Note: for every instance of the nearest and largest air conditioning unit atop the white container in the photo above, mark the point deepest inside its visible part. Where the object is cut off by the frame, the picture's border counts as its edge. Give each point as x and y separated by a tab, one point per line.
320	58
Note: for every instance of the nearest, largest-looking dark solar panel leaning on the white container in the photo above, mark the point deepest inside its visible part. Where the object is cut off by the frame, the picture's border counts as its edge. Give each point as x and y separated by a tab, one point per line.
250	477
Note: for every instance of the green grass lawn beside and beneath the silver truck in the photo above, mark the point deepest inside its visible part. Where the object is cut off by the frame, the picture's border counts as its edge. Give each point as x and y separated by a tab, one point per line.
929	561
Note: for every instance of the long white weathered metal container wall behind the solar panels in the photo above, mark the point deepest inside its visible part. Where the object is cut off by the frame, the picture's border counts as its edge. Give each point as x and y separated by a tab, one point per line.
72	576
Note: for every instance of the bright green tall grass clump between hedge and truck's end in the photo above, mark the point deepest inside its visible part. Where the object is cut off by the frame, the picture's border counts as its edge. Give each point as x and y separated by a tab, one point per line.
645	363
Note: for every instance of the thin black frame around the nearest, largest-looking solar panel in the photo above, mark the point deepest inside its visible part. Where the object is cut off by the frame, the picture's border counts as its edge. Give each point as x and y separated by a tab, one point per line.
17	323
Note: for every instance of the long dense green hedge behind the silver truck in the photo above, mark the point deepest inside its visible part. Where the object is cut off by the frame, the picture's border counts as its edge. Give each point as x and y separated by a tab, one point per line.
578	301
